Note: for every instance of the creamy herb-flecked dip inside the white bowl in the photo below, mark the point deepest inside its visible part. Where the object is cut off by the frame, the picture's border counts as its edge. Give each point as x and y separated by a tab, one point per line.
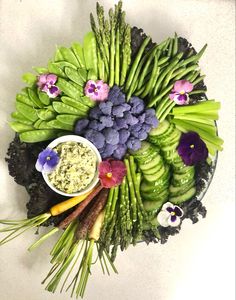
76	168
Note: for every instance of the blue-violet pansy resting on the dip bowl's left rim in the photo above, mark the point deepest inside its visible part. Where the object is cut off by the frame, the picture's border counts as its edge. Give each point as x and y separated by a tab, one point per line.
47	161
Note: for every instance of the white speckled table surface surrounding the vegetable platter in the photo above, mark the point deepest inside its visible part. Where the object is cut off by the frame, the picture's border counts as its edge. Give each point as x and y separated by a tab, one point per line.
197	264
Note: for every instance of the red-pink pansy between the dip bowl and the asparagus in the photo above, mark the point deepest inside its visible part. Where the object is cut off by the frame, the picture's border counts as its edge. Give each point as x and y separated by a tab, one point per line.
111	172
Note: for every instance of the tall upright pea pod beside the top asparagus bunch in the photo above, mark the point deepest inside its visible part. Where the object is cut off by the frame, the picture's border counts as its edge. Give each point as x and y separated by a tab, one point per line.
90	51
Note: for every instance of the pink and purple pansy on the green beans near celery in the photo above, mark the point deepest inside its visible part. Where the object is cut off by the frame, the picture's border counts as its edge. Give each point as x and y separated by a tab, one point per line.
179	94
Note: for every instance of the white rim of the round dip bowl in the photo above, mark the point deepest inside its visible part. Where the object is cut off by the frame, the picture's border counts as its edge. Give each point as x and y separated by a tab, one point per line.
78	139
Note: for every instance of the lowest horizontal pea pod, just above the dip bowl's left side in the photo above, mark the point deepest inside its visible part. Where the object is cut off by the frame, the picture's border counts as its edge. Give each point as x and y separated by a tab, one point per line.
35	136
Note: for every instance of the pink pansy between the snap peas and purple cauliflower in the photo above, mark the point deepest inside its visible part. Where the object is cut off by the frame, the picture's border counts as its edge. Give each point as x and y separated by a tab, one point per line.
96	90
